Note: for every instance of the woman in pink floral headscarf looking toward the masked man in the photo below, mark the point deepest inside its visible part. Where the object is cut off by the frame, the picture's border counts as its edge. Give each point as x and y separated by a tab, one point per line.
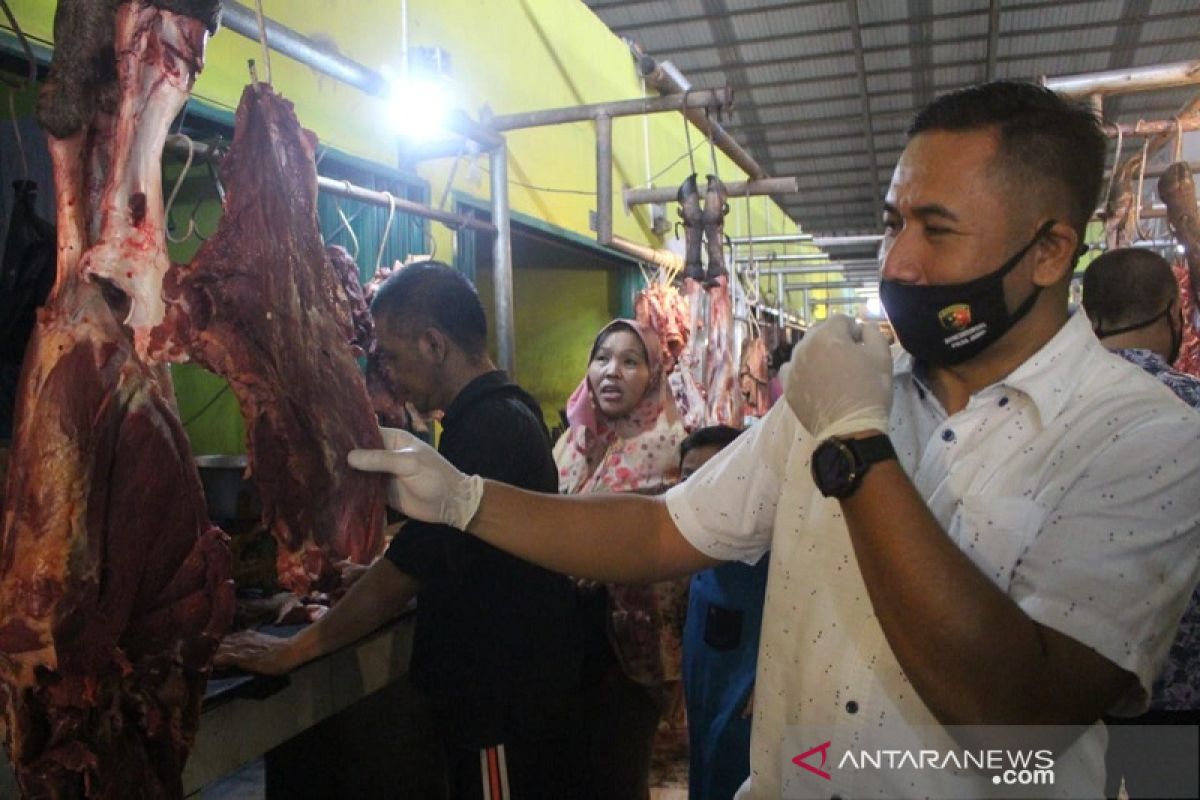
625	437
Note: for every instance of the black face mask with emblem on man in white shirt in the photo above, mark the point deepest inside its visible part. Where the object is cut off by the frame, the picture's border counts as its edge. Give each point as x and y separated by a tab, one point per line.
951	323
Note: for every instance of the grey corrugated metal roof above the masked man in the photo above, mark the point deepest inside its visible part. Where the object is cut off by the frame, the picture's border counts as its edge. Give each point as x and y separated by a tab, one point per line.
800	109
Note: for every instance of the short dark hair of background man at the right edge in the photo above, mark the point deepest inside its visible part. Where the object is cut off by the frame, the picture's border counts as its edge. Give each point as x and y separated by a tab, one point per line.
1126	287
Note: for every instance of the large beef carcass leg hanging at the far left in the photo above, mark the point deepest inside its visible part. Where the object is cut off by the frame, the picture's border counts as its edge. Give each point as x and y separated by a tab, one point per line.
115	587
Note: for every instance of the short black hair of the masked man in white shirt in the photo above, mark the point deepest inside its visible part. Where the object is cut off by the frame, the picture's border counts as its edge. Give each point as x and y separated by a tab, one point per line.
1043	139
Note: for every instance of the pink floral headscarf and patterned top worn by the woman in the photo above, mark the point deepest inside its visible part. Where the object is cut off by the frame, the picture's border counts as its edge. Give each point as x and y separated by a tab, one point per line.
639	453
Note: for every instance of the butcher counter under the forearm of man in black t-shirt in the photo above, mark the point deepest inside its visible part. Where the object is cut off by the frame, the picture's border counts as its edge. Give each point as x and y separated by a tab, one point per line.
249	718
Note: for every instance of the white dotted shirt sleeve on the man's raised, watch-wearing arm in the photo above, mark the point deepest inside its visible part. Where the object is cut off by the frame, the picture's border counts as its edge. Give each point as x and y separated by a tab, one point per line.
1115	561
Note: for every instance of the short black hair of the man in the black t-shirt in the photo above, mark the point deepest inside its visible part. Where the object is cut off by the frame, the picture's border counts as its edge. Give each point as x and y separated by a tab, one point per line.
433	294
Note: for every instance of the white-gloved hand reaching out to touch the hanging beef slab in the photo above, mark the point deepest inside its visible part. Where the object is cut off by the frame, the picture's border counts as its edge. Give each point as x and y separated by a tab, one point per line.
424	485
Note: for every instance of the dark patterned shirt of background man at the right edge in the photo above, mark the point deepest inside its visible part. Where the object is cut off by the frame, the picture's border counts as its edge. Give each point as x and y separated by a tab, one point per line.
1178	688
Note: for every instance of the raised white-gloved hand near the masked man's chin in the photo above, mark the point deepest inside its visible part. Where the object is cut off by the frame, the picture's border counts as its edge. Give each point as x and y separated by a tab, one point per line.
839	380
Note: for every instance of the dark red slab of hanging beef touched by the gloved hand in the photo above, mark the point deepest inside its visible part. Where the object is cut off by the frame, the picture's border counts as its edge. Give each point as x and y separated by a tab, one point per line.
262	306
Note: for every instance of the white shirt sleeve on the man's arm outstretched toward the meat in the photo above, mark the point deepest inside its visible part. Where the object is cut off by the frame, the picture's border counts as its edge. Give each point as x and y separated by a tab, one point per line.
728	509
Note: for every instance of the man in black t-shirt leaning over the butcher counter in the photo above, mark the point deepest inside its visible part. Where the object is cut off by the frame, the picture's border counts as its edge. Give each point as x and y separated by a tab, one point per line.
496	651
